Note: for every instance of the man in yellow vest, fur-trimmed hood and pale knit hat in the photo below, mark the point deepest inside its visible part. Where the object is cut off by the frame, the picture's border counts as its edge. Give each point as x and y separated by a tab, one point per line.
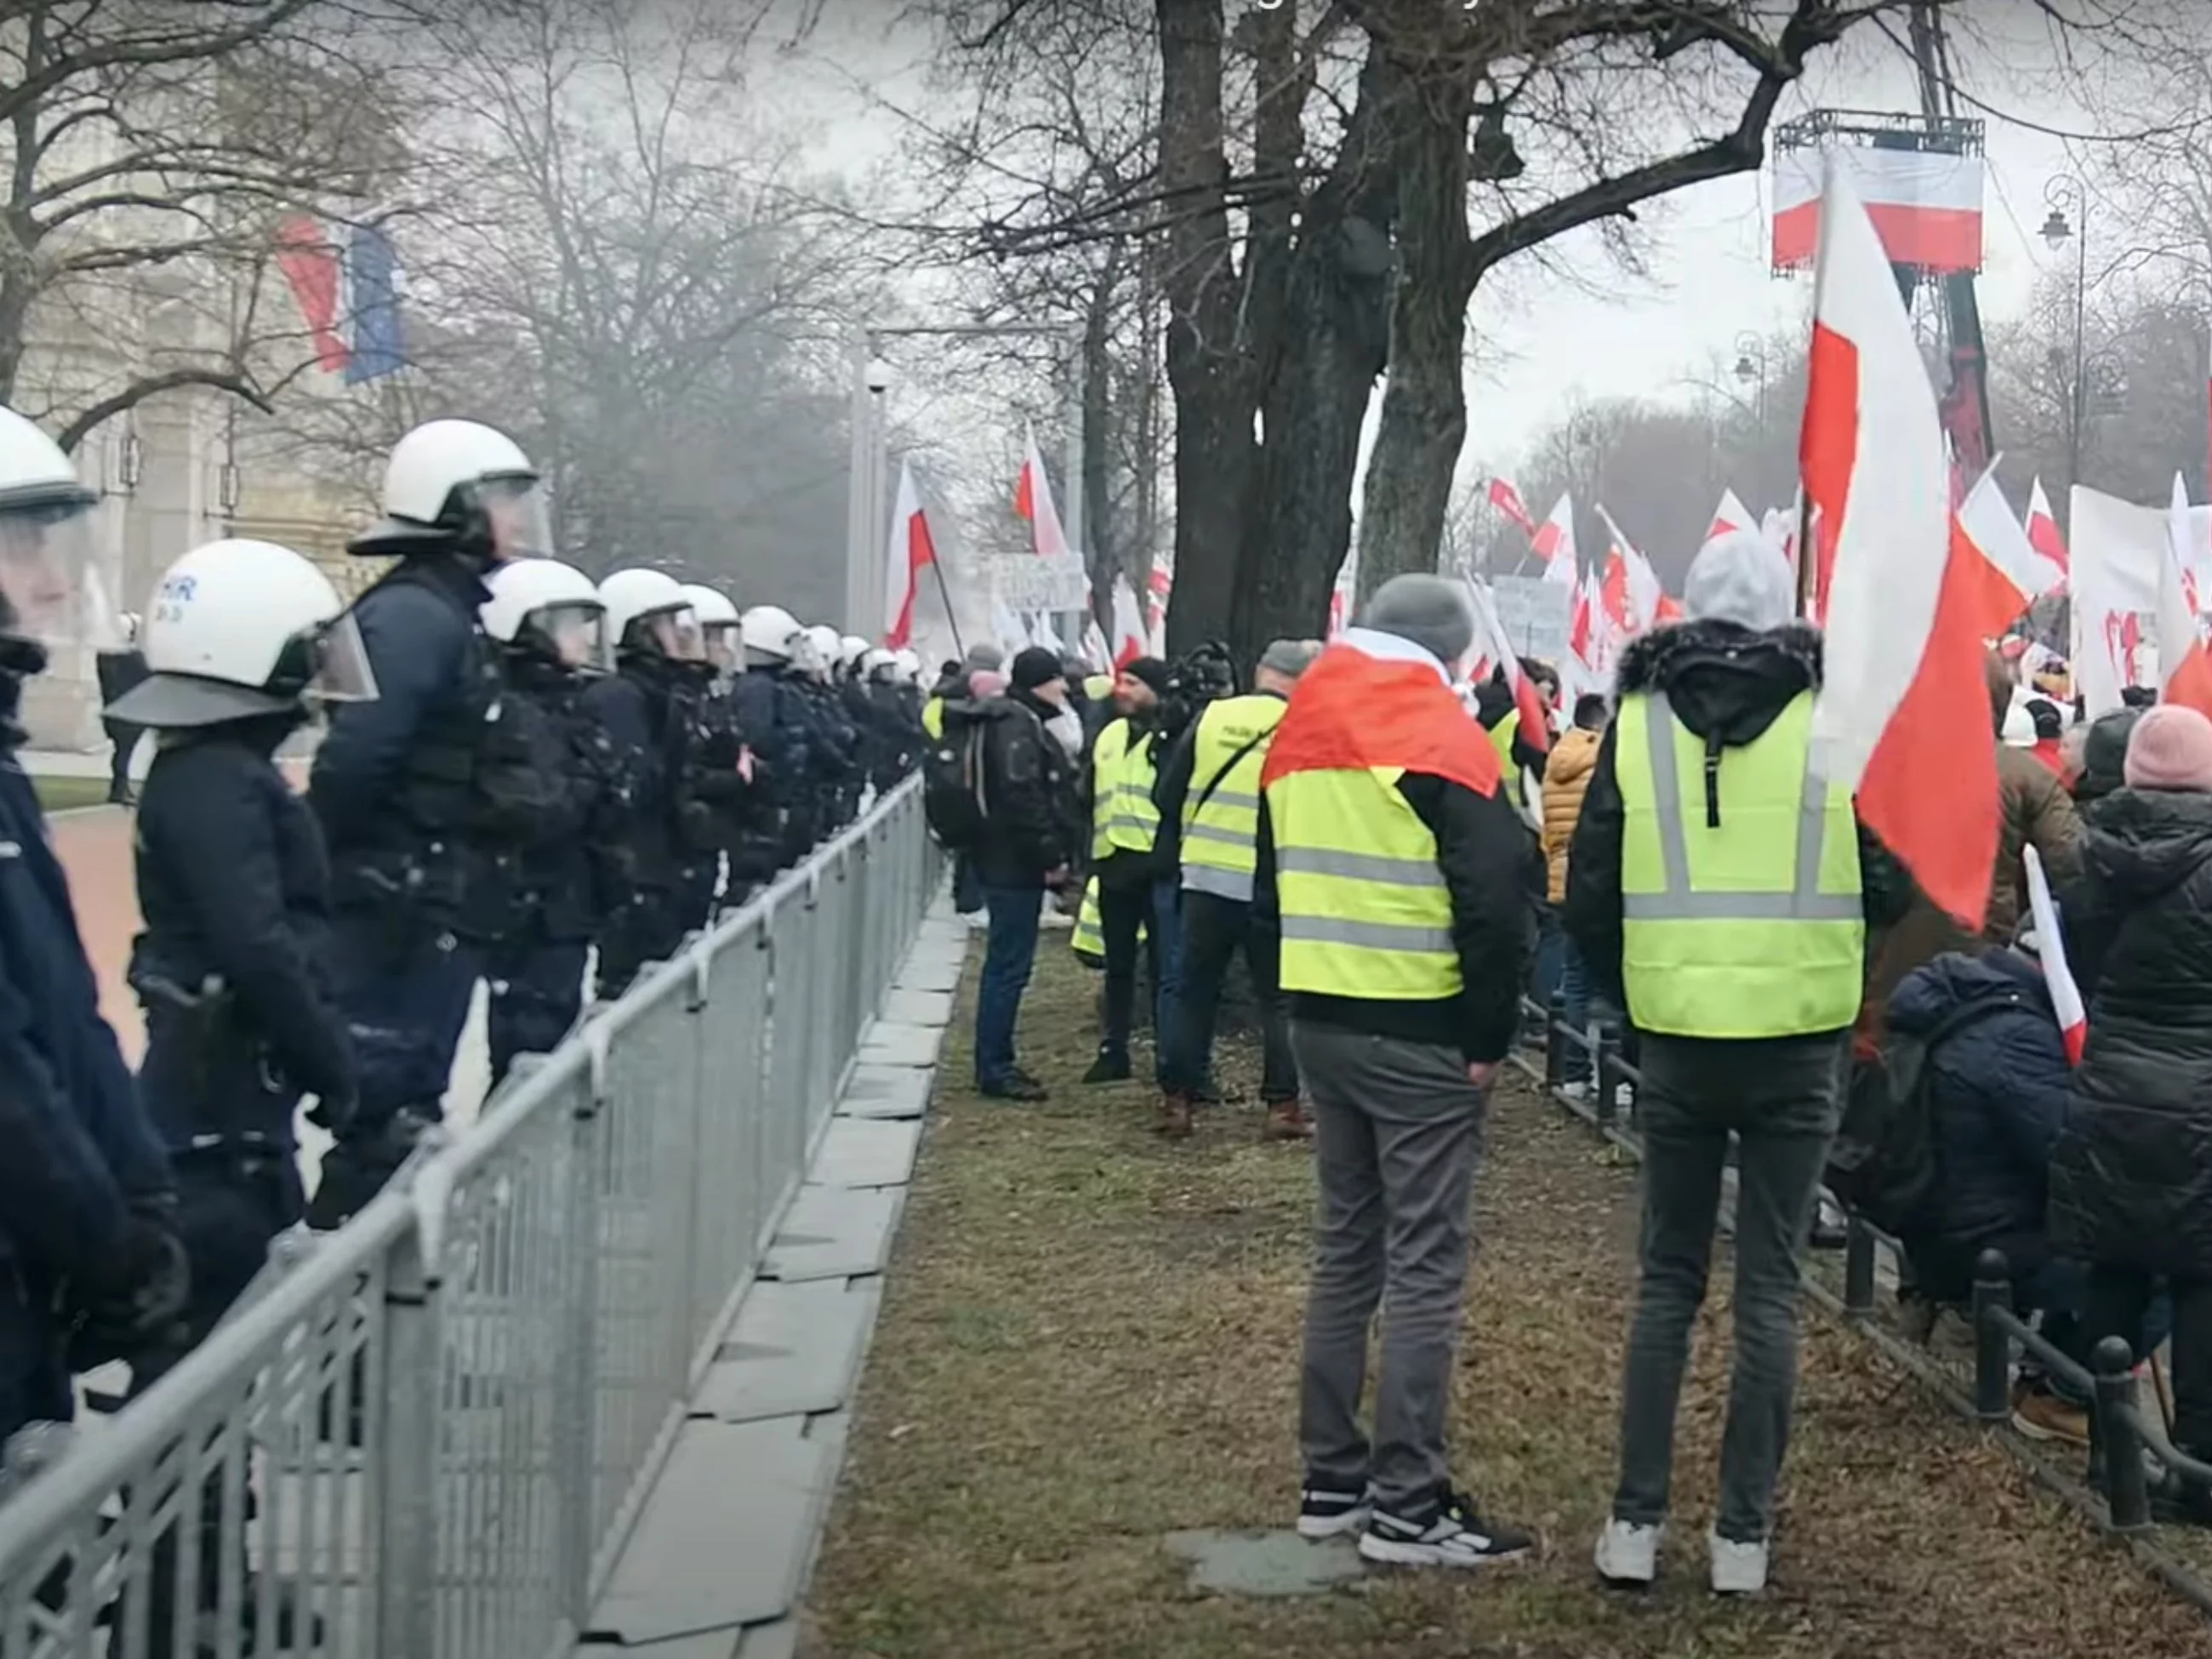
1722	890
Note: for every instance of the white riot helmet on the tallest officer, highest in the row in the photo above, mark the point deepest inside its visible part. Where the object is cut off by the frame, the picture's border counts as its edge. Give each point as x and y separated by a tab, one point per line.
463	488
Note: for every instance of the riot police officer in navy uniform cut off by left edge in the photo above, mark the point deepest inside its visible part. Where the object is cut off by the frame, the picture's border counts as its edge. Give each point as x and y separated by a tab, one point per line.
87	1202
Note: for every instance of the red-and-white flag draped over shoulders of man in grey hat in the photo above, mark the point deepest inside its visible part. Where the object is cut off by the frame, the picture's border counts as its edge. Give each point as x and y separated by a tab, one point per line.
1375	700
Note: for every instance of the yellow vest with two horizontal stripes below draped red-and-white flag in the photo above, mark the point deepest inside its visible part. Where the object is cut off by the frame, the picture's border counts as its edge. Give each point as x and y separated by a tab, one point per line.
1366	910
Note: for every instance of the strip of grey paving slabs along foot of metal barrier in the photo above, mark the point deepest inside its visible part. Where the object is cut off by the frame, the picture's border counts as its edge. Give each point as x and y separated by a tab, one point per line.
709	1578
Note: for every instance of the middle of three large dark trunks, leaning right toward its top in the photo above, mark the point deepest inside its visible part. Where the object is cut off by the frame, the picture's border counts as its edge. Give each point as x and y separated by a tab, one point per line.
1335	346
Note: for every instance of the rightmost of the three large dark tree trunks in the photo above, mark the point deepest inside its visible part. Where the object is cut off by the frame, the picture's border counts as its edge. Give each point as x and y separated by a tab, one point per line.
1423	424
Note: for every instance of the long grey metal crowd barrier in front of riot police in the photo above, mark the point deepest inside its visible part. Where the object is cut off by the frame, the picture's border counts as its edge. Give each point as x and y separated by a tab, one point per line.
435	1430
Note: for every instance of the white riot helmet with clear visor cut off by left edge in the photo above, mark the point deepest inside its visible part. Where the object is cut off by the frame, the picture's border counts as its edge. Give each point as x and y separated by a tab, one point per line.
50	587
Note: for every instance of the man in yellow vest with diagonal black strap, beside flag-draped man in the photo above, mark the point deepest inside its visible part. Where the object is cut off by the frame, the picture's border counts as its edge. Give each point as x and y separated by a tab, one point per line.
1211	789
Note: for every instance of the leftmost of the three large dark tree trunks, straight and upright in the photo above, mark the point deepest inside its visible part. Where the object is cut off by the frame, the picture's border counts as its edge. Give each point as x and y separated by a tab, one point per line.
1204	351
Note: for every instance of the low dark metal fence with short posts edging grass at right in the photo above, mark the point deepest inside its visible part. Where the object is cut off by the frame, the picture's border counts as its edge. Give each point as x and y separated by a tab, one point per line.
2127	1443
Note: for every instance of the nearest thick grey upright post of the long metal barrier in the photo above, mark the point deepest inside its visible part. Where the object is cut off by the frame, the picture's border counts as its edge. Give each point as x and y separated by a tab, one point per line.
408	1459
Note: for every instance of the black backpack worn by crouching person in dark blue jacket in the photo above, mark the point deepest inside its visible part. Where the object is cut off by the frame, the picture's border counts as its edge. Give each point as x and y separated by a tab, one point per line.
1884	1160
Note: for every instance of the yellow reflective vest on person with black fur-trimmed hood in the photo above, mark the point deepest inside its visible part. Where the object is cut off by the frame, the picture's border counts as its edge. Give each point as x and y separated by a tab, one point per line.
1740	881
